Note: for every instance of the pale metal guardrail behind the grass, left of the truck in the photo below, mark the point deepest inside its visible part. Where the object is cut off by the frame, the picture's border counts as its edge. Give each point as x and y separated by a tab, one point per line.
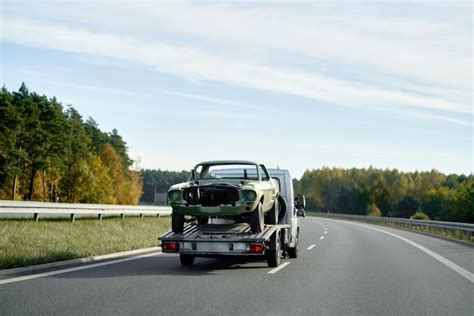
18	208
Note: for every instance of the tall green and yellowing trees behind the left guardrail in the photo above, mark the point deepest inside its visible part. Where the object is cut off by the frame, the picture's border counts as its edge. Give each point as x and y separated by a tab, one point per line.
49	153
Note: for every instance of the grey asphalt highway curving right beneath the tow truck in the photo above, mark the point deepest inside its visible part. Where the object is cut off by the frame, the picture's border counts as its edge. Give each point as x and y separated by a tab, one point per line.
343	268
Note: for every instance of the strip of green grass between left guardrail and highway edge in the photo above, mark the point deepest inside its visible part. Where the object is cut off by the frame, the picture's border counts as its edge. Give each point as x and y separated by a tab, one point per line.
26	242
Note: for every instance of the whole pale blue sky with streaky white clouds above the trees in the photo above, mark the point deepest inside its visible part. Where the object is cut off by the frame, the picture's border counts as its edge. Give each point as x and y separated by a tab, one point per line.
294	84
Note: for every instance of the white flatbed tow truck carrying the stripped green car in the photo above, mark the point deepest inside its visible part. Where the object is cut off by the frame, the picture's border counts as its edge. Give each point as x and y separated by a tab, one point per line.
217	239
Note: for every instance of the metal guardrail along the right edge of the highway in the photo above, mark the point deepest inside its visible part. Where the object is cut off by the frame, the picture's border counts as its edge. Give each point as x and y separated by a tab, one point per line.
451	229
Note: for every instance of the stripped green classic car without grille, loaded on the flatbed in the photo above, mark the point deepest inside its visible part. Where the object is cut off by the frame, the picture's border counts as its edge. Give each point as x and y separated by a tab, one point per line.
240	190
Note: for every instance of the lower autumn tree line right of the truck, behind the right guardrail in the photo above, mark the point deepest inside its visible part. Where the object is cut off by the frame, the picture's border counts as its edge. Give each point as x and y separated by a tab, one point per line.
389	192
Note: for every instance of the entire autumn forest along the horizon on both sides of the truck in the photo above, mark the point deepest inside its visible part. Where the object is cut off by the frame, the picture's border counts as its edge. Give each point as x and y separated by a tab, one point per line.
49	153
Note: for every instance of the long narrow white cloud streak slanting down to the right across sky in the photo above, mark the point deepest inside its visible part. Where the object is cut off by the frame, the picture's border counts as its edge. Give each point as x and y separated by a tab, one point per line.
197	64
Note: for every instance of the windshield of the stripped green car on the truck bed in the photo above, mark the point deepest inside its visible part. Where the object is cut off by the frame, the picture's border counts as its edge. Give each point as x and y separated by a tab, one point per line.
226	171
